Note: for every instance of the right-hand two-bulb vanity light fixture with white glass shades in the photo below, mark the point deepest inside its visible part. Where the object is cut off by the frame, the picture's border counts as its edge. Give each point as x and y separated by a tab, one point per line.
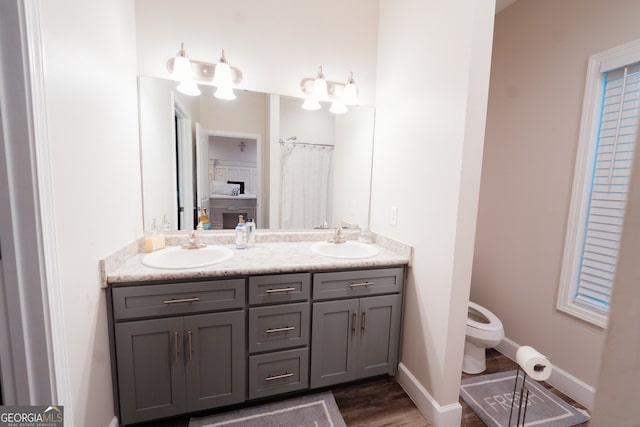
319	89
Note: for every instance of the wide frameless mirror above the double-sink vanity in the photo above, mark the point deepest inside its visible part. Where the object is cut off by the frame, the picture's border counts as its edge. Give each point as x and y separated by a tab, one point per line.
260	155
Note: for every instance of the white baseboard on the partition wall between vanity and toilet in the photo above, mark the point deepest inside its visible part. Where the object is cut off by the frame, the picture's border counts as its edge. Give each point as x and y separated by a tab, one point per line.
438	416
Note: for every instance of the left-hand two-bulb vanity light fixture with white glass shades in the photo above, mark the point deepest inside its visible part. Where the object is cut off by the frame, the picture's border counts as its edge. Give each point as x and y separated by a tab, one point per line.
221	75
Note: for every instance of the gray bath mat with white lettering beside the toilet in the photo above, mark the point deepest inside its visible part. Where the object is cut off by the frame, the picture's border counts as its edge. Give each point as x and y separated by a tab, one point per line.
490	398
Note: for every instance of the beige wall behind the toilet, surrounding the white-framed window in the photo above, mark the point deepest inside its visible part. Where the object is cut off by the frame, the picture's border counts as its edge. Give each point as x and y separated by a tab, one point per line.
535	100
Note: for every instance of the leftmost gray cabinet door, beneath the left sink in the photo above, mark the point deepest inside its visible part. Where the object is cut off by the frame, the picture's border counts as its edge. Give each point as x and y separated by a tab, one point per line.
150	369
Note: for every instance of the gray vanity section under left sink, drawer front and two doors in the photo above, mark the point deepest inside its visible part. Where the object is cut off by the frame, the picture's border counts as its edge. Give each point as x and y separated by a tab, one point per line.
184	358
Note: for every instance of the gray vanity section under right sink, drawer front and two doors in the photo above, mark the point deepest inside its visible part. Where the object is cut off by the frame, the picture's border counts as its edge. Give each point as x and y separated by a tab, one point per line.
356	335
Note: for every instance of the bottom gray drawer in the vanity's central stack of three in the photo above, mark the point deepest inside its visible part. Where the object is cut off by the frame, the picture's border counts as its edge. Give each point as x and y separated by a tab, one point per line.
280	372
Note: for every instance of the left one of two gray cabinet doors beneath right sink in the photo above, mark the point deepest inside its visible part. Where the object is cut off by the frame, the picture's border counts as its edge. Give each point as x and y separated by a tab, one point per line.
333	342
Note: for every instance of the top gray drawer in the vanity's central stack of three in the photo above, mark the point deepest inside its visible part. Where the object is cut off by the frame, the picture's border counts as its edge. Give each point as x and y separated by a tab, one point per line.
279	288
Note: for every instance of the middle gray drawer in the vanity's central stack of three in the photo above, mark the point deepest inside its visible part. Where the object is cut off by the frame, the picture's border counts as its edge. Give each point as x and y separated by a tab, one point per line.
278	327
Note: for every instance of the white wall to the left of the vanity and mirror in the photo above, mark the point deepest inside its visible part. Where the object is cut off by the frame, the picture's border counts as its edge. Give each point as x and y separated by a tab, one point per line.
91	104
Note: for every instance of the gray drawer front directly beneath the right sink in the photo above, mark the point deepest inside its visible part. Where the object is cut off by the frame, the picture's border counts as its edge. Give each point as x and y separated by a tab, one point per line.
344	284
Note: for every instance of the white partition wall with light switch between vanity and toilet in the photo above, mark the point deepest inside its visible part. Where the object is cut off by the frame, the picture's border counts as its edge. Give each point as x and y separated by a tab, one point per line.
430	112
